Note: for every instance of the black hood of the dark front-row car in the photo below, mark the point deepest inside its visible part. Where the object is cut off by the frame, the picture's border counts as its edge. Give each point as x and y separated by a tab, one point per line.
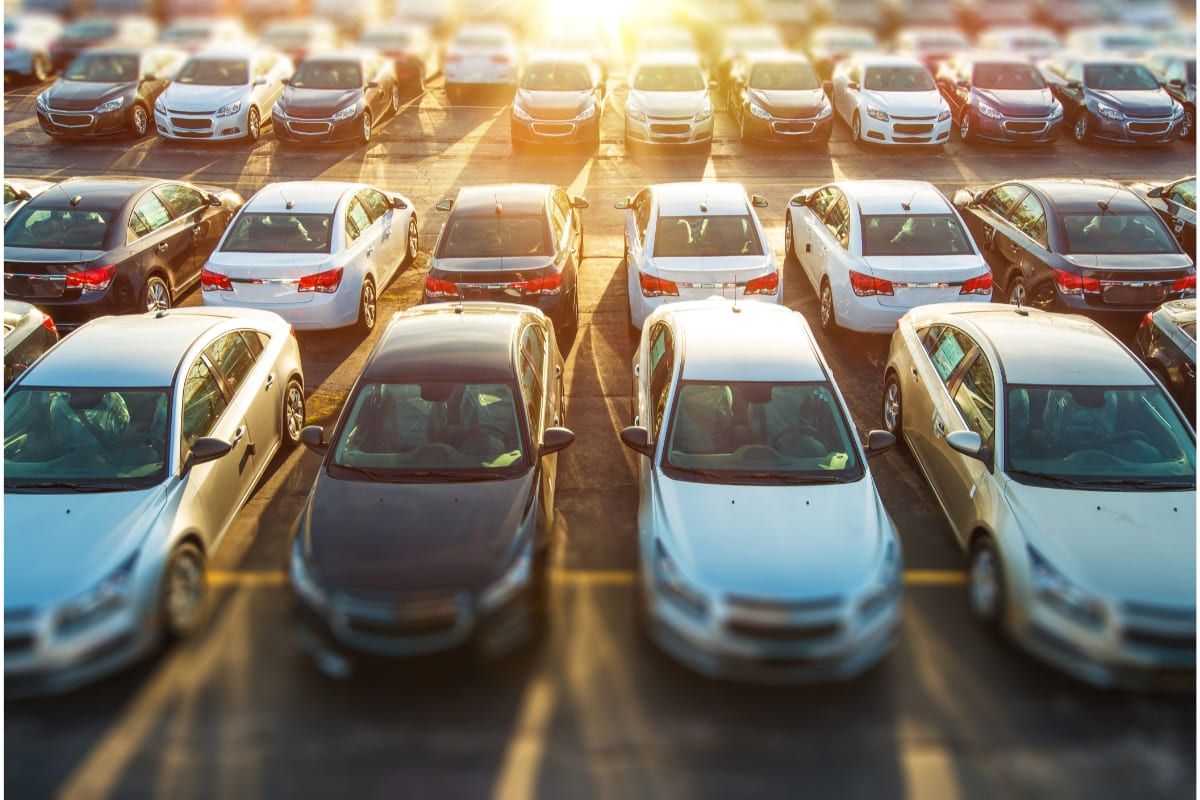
362	537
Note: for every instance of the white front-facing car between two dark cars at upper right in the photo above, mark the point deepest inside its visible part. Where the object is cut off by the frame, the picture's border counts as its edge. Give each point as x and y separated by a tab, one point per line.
891	100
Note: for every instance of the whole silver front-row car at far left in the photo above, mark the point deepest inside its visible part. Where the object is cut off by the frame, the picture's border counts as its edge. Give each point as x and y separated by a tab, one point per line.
129	449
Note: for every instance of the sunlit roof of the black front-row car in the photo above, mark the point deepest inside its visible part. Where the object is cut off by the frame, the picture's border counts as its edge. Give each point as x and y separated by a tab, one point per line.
470	341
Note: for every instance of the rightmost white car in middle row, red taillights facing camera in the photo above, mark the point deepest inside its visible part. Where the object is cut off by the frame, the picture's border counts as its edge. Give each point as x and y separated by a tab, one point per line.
875	249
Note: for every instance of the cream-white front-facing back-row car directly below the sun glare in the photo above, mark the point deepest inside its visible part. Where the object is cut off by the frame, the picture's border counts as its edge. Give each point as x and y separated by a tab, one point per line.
669	101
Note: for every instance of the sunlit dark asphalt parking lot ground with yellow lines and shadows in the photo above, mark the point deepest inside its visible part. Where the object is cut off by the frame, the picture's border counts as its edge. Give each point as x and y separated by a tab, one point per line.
592	711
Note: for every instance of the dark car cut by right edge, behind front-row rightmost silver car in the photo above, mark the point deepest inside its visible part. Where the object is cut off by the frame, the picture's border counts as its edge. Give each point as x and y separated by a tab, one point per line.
1167	342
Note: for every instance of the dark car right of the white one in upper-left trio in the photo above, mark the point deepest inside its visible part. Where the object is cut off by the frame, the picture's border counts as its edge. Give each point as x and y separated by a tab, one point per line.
338	98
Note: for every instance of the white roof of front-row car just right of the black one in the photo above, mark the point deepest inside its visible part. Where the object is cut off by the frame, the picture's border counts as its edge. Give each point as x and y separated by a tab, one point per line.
745	342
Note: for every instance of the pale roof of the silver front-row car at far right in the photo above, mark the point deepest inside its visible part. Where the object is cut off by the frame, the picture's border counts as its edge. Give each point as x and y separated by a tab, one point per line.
1048	350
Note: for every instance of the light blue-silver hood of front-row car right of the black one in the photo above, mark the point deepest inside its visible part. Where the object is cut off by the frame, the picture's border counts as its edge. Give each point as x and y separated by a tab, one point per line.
776	542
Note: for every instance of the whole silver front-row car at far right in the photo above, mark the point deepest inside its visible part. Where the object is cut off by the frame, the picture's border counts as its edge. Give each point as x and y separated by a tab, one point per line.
1067	476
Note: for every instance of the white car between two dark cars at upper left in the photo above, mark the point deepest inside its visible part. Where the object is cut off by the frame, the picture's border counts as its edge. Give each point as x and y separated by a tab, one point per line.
223	94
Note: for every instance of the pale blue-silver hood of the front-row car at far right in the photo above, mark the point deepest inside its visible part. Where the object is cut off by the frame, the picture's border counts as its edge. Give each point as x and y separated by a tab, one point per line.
1126	546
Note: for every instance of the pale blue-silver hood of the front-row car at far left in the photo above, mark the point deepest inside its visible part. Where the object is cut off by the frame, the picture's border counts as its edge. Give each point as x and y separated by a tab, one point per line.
58	546
